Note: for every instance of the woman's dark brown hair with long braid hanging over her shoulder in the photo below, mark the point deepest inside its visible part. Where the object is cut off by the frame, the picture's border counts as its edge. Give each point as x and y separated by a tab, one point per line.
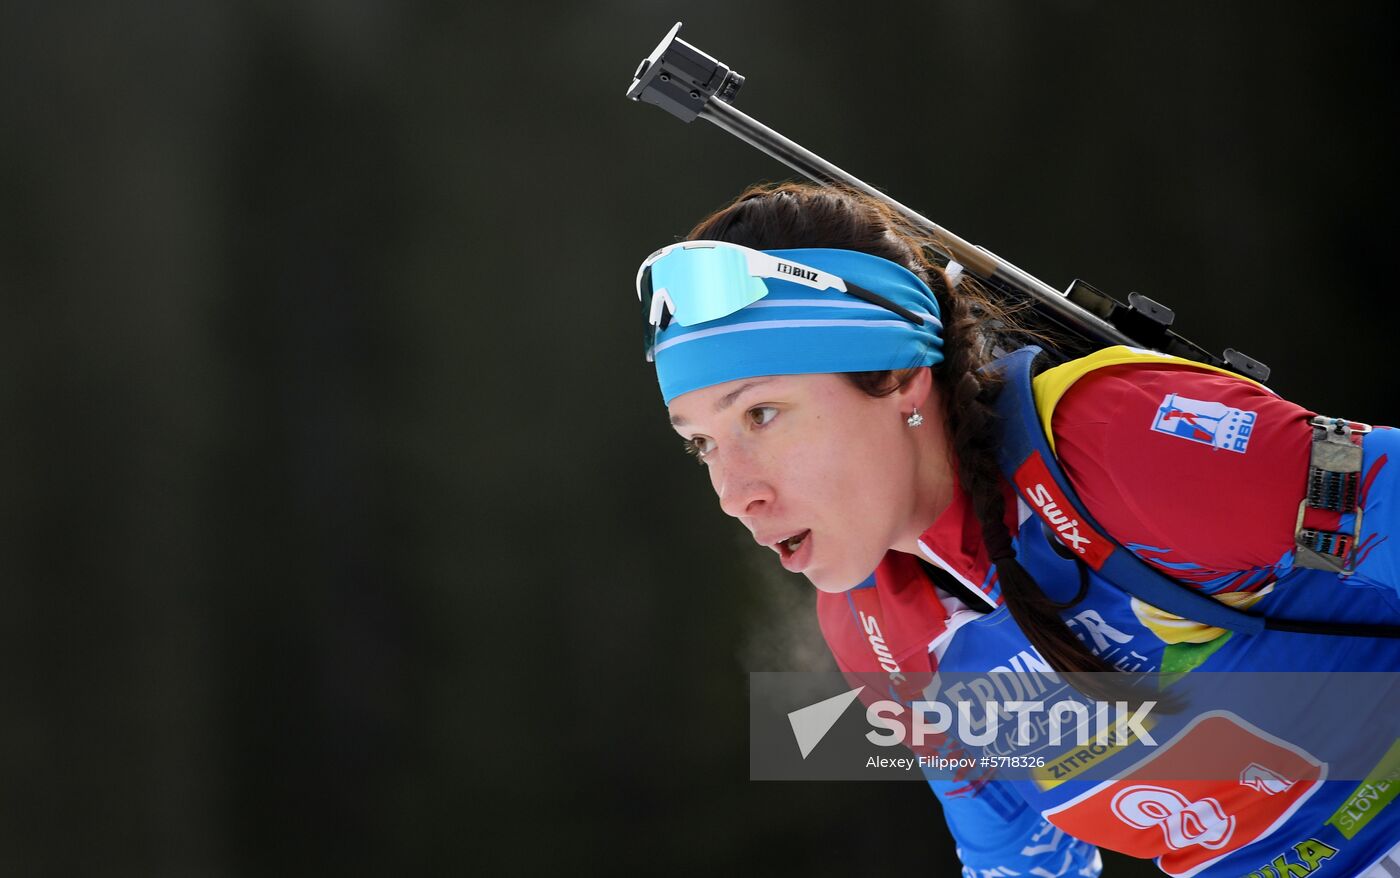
782	216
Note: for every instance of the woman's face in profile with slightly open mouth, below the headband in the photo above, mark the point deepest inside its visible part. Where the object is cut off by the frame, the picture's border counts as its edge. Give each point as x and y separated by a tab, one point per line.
815	459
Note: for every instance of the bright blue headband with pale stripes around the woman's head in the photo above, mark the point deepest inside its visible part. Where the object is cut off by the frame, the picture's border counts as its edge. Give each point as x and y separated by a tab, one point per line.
797	331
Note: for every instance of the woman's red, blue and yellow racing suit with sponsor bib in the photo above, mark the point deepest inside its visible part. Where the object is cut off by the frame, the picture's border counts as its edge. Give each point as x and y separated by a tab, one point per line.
1200	474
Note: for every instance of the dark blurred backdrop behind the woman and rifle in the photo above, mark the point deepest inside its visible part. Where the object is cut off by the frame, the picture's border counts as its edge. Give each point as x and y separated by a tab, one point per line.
342	526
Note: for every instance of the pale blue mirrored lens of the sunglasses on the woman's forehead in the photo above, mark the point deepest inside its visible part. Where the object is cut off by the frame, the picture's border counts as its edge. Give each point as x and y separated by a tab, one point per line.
706	284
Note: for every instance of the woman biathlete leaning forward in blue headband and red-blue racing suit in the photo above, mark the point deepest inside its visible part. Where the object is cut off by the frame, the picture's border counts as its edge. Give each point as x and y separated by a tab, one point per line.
839	389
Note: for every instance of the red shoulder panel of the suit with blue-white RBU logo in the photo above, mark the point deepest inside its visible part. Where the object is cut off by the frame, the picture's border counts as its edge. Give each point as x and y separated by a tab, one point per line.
1200	474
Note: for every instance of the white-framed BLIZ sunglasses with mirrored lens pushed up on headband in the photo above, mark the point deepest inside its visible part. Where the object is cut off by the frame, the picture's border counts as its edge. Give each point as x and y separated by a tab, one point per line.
696	282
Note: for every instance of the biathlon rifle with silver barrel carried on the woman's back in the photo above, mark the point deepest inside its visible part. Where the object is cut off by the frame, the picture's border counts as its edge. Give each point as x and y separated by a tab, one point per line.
688	83
